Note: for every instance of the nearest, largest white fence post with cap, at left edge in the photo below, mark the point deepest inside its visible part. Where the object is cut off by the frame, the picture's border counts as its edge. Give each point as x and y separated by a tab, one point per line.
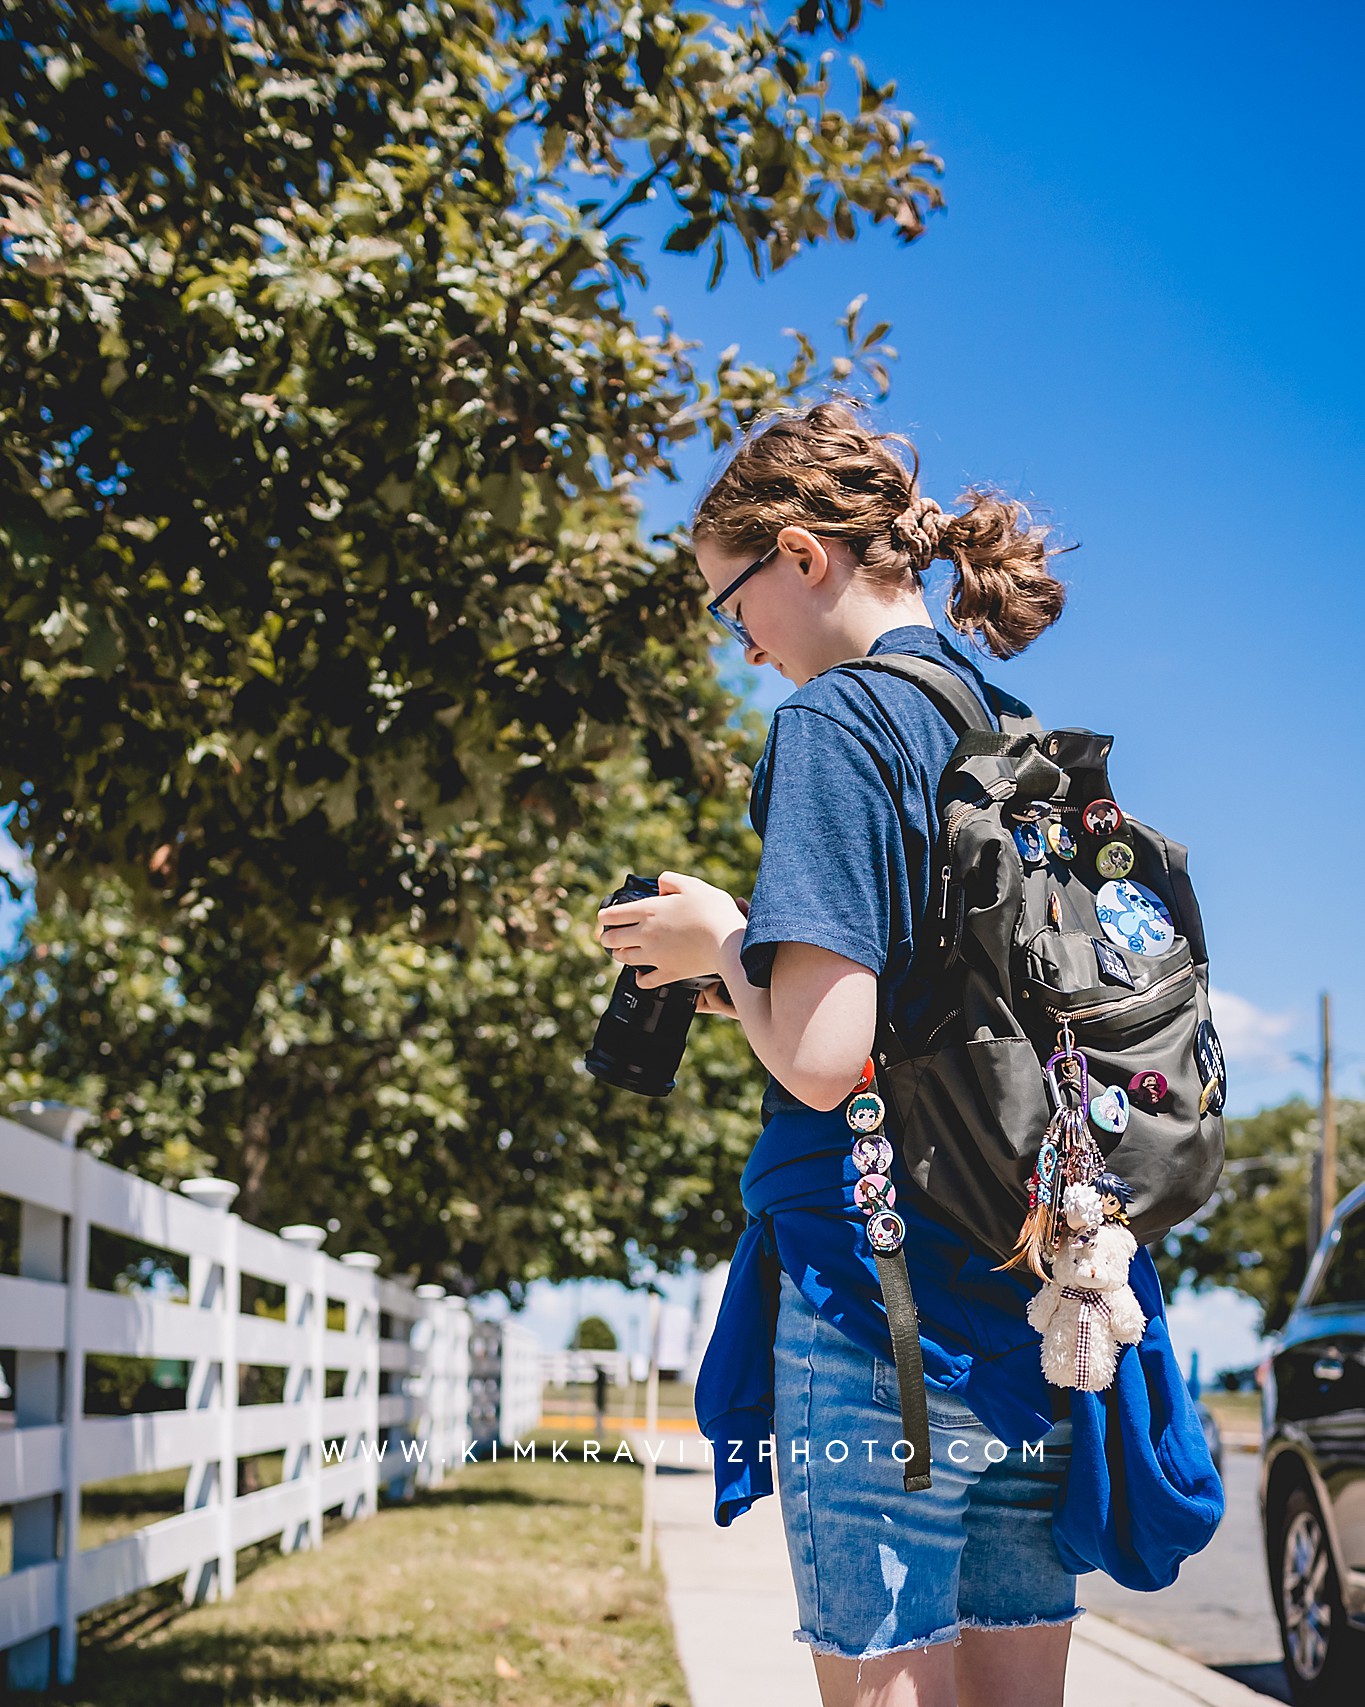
38	1399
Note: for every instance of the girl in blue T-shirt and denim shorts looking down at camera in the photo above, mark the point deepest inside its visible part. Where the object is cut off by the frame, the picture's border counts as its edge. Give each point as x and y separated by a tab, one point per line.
815	542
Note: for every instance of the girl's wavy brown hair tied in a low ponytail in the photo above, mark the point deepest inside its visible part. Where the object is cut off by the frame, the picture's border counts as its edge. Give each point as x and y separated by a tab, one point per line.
825	470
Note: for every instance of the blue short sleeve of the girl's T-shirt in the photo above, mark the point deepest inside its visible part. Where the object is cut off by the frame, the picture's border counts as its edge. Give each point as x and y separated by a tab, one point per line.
834	846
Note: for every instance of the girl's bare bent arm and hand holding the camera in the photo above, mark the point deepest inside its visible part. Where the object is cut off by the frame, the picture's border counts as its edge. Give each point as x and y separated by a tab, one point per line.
813	1028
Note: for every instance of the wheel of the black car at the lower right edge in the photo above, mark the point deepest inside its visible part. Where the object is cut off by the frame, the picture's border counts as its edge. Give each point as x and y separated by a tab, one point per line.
1323	1653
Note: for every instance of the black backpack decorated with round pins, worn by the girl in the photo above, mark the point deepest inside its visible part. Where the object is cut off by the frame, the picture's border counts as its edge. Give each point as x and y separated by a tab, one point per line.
1062	929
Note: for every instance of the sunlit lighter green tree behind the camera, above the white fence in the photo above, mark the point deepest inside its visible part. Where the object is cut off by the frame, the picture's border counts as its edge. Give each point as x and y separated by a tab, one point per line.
433	1100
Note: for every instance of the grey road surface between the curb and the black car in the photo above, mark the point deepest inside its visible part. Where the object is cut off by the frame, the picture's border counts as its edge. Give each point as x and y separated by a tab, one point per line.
1219	1611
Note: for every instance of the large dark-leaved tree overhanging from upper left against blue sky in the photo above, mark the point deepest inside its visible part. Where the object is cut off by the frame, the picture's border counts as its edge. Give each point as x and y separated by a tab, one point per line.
323	419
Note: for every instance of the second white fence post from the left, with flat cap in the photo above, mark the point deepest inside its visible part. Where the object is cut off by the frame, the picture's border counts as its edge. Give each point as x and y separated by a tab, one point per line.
212	1387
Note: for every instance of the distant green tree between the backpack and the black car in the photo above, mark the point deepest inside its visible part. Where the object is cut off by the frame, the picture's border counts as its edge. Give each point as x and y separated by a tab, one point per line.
1255	1232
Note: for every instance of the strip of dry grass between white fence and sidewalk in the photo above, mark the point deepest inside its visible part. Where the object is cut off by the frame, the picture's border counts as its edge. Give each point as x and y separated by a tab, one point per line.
513	1587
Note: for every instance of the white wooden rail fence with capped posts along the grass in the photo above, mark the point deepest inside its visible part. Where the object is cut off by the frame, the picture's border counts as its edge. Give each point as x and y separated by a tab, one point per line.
54	1319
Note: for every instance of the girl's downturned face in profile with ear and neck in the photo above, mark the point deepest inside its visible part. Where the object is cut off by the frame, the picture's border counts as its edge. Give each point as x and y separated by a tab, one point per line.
786	603
